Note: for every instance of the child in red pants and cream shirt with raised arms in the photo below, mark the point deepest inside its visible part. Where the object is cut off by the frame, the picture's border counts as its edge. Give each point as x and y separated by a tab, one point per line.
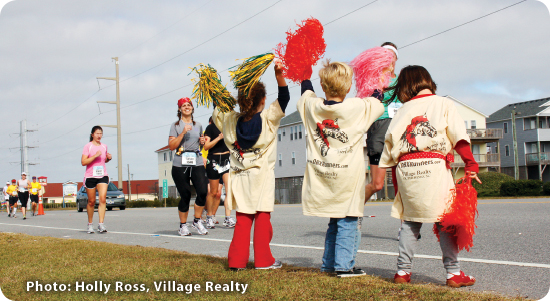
251	137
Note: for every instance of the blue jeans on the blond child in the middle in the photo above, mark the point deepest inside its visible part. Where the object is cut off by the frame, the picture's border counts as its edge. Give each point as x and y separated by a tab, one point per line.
341	244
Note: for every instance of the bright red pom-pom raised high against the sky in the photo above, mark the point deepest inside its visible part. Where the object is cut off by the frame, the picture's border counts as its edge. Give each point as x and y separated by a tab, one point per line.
304	48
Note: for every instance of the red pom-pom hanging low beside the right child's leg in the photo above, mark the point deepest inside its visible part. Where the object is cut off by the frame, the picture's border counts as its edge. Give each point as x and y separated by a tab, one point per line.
459	218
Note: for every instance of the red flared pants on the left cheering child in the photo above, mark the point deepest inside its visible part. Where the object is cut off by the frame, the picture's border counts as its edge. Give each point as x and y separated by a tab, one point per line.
239	250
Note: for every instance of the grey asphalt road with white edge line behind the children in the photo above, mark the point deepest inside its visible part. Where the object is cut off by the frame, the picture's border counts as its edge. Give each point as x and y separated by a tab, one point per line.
510	254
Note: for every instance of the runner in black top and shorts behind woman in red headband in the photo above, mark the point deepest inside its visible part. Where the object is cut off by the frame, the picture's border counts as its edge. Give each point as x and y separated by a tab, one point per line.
217	168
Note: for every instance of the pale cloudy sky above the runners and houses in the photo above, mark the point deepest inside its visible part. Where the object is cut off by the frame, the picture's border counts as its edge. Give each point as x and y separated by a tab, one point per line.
51	52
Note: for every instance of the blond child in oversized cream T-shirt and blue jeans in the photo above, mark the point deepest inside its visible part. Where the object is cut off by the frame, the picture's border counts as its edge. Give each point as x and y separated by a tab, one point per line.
335	174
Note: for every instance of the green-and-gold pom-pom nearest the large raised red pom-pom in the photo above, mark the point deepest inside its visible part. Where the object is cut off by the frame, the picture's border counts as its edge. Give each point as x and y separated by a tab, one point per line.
249	72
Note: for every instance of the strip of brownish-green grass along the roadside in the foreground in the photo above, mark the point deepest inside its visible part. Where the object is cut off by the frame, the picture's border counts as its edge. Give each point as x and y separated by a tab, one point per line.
67	261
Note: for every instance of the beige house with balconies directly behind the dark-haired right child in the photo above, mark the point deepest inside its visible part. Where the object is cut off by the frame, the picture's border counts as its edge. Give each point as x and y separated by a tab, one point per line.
475	123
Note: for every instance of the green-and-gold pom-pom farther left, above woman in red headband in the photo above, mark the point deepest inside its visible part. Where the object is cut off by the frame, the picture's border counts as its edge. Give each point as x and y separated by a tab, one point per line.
209	89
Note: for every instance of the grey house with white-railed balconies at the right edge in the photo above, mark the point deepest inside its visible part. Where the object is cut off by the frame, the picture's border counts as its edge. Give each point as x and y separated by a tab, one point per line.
532	138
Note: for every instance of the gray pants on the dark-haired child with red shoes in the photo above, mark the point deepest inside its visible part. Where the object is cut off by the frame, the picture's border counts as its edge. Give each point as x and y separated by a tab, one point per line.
409	239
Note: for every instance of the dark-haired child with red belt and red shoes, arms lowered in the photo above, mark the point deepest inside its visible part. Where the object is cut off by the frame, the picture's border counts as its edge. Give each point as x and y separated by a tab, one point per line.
419	143
